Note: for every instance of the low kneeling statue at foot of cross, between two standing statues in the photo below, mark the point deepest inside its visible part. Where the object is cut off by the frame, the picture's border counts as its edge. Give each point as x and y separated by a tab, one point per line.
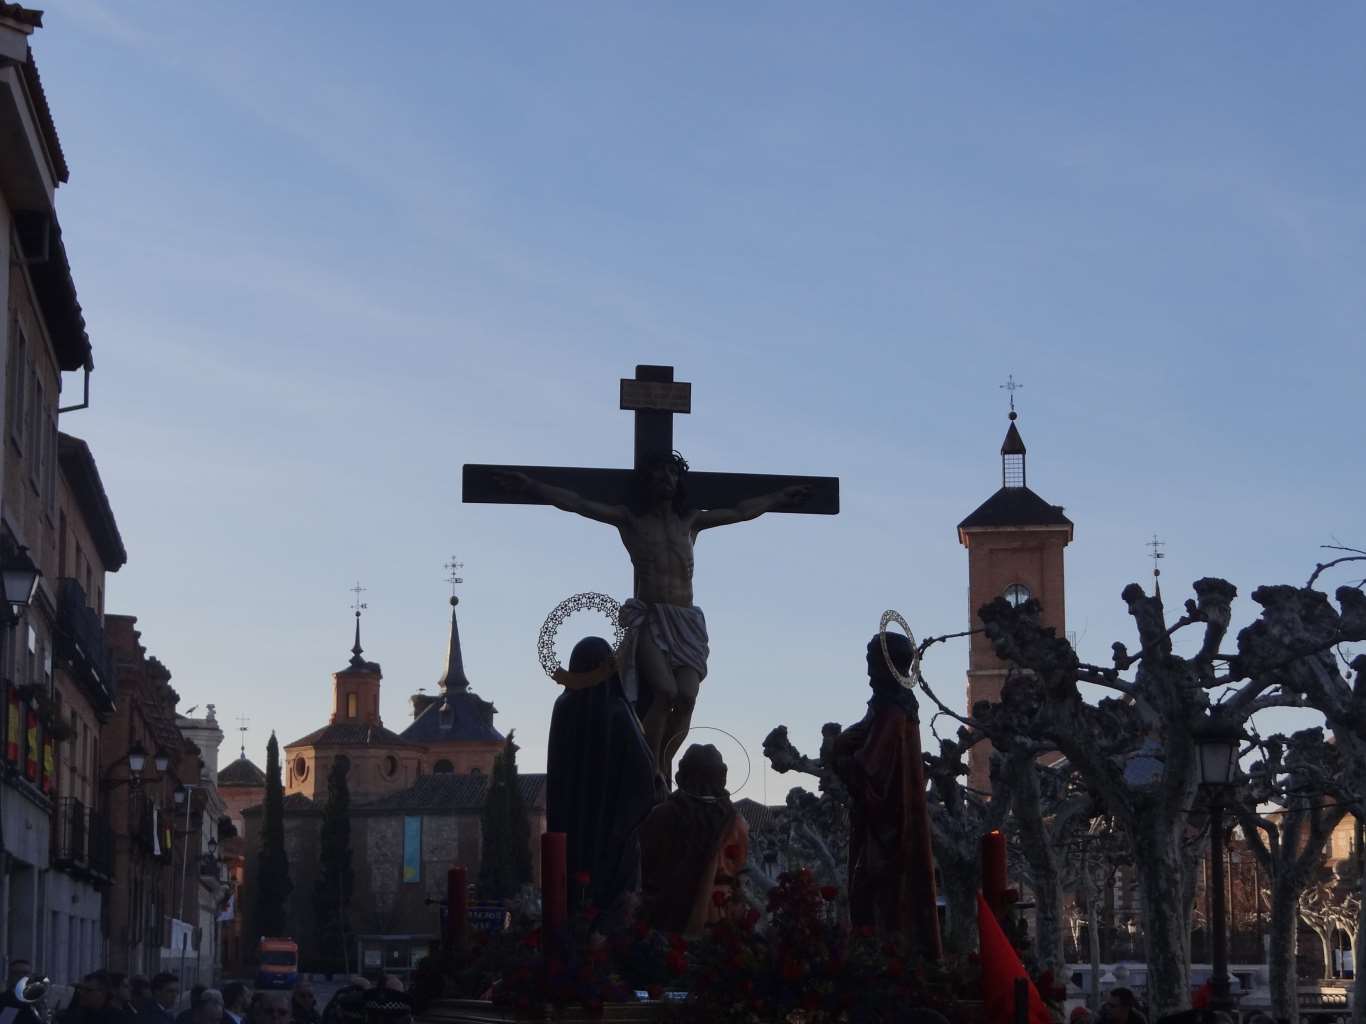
693	849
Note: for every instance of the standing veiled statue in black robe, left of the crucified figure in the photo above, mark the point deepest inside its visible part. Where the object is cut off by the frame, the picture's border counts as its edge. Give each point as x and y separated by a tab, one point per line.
600	786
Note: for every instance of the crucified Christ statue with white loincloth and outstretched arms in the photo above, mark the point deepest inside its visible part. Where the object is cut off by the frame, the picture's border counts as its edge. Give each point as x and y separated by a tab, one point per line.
659	530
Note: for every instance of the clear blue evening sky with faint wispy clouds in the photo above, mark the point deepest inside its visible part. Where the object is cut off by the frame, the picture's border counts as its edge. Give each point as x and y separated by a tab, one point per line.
330	253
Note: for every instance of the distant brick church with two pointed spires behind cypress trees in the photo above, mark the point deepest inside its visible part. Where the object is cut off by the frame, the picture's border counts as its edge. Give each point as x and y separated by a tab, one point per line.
416	803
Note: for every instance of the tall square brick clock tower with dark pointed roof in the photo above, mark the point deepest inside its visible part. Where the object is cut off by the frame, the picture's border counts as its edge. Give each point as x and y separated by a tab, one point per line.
1016	544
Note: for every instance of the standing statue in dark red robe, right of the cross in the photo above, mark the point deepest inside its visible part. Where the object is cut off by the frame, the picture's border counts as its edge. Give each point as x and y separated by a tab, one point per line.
879	760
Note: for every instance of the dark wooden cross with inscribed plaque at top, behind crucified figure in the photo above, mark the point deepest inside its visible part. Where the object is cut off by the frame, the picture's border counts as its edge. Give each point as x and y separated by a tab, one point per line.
655	398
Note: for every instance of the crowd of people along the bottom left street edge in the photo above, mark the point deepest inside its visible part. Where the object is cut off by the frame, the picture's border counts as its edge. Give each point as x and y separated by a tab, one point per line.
109	997
